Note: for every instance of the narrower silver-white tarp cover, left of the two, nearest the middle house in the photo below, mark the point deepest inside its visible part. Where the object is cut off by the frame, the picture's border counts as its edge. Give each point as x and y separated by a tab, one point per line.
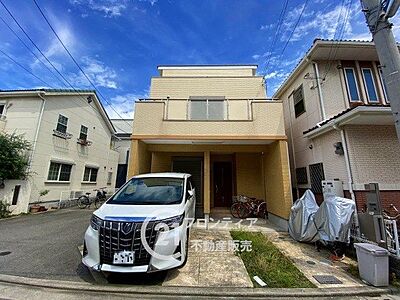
301	227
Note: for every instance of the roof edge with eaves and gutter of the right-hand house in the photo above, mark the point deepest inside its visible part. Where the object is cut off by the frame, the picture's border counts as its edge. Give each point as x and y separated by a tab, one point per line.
312	51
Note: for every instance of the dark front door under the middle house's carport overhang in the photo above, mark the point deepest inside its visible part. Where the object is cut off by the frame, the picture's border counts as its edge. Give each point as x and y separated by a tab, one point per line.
222	180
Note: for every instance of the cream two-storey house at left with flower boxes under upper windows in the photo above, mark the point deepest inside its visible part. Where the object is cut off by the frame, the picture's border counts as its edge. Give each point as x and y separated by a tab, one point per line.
72	142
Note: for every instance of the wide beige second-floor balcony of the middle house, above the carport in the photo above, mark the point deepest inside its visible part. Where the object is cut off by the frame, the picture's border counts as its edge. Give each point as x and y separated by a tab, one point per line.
240	119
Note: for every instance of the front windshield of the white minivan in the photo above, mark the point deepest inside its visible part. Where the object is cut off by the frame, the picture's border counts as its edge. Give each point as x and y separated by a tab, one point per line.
150	191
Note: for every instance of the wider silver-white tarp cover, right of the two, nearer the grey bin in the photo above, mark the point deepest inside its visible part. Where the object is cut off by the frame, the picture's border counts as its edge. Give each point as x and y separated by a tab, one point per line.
334	218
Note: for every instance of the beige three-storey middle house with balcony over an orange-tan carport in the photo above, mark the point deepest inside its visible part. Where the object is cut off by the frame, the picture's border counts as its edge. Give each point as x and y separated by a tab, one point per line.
215	122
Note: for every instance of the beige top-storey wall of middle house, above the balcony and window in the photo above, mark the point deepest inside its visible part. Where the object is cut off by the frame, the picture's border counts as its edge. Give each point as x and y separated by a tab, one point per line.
228	87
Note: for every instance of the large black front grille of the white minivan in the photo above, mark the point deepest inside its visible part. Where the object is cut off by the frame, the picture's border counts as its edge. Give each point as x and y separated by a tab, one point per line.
113	239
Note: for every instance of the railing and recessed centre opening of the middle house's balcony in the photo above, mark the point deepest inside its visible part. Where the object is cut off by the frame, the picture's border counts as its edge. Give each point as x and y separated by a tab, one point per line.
213	109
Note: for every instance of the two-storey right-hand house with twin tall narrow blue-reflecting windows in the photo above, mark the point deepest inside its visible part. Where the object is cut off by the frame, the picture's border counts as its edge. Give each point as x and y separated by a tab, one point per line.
339	123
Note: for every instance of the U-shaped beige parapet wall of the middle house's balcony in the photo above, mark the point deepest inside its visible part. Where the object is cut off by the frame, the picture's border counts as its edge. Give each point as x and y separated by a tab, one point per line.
267	121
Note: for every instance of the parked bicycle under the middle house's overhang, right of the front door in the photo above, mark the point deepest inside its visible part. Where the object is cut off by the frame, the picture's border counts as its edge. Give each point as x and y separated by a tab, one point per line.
244	207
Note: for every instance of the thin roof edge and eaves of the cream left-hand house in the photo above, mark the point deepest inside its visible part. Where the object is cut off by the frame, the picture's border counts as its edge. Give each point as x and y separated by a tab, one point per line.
24	92
